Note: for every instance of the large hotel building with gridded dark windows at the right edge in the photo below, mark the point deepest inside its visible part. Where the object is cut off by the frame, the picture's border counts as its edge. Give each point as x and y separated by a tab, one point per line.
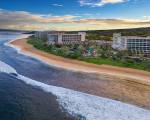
139	45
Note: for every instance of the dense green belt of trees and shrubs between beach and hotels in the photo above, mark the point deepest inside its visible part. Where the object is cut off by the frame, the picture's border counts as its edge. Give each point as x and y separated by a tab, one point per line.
105	54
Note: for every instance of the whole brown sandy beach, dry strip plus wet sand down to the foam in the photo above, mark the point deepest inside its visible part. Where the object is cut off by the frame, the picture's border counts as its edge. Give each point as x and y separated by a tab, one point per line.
123	84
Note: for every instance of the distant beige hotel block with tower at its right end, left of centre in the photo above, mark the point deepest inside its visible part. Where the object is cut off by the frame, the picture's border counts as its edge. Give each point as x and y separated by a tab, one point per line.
62	38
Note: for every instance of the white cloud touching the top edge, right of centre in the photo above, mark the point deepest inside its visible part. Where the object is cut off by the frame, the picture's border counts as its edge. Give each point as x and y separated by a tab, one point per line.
98	3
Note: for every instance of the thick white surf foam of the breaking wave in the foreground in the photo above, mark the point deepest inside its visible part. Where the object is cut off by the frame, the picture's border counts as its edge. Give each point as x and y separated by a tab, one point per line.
90	106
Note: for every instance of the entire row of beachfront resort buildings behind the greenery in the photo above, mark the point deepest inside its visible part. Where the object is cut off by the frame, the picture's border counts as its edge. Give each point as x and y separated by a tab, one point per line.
133	44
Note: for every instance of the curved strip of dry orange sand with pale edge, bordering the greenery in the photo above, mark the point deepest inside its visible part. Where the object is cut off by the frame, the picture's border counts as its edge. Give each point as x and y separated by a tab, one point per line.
134	75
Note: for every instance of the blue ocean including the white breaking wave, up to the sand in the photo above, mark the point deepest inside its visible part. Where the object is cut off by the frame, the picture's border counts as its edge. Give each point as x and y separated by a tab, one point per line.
32	90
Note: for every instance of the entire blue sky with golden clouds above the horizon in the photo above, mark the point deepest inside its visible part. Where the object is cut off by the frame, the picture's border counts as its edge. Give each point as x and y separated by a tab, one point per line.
71	15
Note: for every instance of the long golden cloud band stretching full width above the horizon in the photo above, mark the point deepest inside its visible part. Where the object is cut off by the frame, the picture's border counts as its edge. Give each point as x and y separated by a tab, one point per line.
30	21
